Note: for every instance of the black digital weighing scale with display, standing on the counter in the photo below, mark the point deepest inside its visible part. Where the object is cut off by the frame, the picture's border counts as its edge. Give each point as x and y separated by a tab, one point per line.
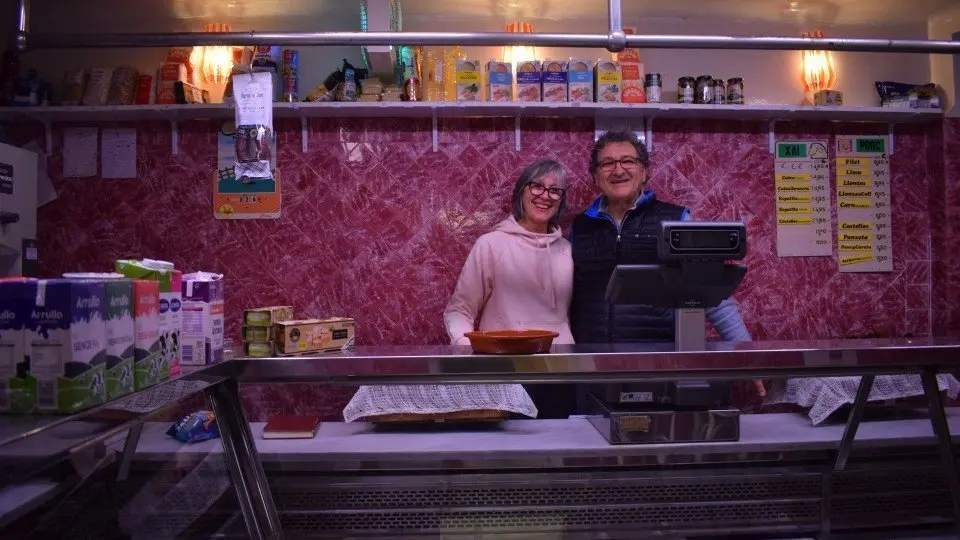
693	275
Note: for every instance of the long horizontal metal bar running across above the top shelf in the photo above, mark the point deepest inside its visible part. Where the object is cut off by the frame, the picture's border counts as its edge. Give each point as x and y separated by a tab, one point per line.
90	40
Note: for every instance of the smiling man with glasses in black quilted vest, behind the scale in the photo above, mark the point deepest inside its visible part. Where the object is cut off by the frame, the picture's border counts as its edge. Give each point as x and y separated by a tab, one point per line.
622	227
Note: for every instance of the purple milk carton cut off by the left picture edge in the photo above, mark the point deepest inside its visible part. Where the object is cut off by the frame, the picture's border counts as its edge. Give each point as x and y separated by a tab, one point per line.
18	390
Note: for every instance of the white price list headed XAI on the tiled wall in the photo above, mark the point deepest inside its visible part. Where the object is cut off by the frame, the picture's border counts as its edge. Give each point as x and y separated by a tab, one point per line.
802	182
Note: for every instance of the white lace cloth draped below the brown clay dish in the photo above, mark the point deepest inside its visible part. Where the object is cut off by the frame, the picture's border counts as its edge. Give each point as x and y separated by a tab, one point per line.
438	399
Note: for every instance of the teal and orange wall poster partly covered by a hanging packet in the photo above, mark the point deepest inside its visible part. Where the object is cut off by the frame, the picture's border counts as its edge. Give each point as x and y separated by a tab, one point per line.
244	198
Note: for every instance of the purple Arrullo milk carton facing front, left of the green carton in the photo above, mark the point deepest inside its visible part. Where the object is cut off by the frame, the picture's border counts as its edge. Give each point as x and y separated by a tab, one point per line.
65	339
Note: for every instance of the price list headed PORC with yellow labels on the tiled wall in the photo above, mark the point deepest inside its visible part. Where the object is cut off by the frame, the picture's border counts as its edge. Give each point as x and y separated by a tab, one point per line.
863	205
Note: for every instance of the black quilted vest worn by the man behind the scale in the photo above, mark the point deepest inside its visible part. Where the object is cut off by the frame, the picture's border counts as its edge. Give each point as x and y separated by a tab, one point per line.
597	248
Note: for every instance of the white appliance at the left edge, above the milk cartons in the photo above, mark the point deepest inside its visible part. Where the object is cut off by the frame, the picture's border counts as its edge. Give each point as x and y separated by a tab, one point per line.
18	212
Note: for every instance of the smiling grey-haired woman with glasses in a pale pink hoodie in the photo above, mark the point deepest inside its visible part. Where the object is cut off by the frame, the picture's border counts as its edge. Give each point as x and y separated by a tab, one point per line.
520	275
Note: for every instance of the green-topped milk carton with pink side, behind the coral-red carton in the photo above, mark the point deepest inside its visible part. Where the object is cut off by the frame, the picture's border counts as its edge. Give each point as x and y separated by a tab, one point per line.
171	303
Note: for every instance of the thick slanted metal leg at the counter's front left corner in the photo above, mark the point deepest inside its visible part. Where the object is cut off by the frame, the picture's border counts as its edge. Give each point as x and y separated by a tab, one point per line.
253	493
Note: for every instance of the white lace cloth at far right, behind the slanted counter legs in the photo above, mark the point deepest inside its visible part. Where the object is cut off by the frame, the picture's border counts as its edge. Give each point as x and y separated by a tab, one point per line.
825	395
